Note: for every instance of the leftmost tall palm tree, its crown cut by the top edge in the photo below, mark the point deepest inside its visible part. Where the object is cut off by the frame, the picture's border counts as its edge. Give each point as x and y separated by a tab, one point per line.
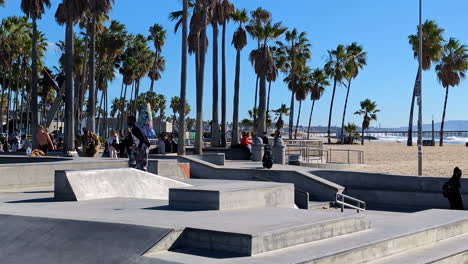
34	10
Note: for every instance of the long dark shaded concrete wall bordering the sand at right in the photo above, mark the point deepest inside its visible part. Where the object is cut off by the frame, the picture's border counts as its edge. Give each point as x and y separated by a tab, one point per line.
392	191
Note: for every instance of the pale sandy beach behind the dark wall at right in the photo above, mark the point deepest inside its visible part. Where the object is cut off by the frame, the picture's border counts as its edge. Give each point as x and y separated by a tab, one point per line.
397	158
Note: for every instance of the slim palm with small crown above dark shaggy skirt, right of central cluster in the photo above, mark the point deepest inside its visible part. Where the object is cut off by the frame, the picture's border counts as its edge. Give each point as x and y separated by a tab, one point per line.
239	41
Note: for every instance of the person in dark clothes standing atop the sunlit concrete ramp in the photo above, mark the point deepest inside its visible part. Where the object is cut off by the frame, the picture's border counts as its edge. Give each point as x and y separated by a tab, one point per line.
139	155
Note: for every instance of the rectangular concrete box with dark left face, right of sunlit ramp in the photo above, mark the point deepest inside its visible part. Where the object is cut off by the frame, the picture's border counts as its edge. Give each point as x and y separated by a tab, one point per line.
233	195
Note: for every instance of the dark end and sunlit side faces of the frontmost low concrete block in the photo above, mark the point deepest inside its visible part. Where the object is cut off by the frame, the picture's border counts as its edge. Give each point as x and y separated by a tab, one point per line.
272	237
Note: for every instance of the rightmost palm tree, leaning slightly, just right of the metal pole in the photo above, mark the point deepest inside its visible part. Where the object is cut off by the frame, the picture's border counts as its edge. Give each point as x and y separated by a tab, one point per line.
450	71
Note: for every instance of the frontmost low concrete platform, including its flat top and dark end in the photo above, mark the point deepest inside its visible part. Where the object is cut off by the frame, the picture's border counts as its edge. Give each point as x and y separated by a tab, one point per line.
279	229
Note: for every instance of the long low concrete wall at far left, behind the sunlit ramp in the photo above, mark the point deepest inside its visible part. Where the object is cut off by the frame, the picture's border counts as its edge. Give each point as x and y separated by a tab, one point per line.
18	176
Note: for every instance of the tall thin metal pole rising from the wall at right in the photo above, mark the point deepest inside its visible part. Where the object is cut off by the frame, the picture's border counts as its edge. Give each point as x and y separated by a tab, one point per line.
419	86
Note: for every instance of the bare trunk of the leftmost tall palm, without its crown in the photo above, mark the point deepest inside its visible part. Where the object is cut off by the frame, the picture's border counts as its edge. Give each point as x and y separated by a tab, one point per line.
33	102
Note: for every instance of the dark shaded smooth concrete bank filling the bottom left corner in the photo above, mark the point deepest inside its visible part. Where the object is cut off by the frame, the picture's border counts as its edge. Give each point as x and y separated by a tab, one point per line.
56	241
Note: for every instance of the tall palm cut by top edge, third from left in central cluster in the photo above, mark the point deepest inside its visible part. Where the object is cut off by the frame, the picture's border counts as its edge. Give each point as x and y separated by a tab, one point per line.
214	19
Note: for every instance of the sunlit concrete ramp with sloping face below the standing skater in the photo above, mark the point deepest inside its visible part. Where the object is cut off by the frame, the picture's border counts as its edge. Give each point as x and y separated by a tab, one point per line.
112	183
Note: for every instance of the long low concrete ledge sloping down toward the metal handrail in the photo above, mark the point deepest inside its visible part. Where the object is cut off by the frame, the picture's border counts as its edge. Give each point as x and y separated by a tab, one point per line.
319	189
